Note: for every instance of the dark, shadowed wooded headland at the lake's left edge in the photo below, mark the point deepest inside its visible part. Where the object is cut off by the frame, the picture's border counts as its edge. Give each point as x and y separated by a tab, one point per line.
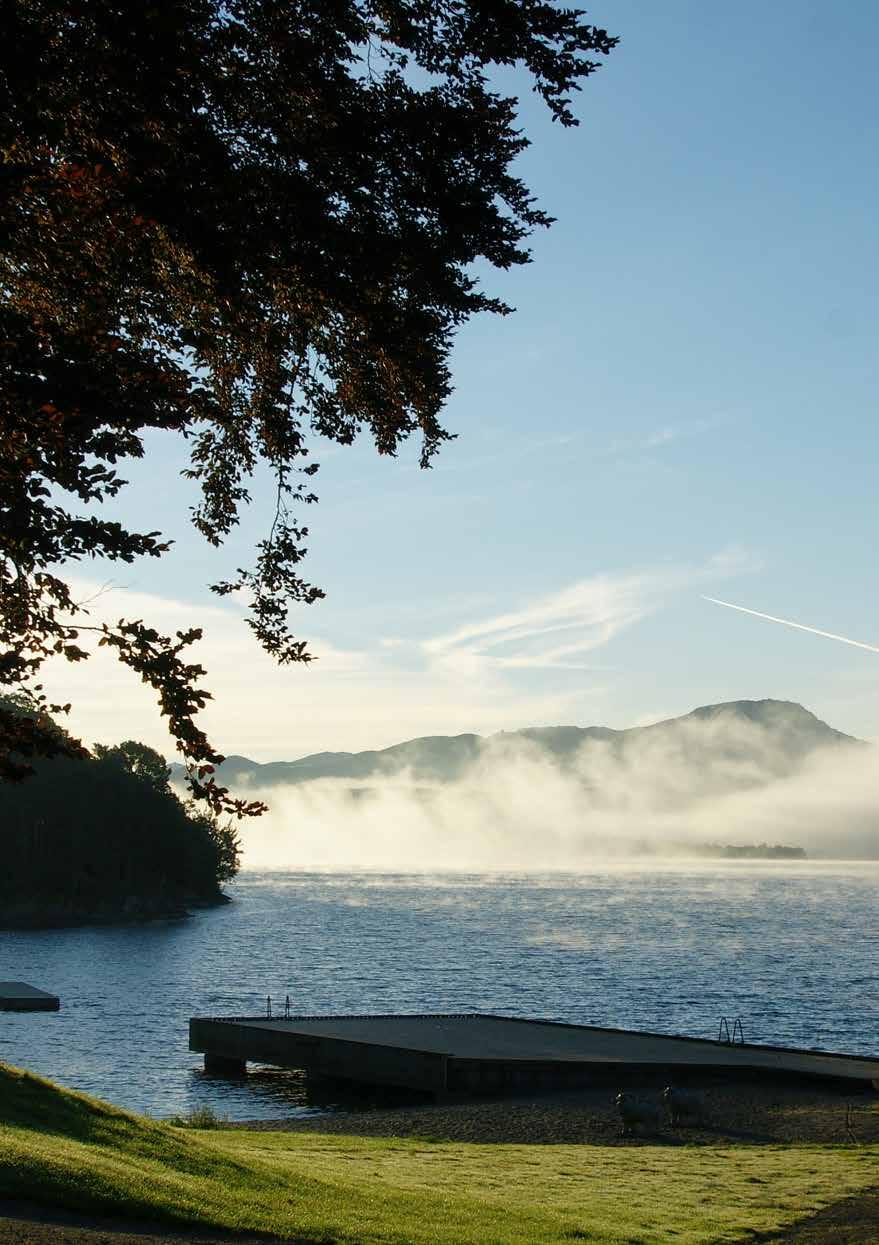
105	839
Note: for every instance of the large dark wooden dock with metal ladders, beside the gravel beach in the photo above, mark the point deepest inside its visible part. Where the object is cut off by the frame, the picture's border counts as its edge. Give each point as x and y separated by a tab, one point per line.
485	1054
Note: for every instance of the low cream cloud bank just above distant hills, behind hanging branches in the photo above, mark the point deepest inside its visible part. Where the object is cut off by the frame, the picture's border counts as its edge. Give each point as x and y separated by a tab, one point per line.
349	699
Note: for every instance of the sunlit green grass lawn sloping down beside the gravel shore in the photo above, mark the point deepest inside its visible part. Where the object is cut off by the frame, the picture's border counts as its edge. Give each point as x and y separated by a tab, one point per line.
65	1150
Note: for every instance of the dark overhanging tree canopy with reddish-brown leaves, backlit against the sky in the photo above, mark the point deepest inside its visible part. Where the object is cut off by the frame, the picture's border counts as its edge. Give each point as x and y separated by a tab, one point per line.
242	222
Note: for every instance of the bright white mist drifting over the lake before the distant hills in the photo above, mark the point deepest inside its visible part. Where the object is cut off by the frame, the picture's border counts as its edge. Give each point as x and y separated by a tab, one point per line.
658	794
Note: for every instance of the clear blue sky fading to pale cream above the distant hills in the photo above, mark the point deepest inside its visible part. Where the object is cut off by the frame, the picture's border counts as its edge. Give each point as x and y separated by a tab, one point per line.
683	406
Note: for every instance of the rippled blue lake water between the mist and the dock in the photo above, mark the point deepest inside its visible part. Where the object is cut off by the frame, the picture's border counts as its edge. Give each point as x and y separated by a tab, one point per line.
790	948
